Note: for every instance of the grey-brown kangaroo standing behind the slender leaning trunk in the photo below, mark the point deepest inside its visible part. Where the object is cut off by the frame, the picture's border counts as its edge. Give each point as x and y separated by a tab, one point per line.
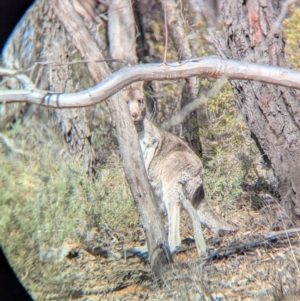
175	174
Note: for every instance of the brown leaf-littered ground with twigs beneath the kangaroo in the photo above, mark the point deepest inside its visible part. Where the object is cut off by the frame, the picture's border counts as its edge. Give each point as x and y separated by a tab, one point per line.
267	271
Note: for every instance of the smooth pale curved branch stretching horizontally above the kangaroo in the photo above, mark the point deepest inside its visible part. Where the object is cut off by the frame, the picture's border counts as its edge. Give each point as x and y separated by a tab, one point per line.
202	67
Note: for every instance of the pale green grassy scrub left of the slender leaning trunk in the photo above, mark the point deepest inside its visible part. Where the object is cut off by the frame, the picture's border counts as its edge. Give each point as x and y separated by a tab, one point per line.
47	202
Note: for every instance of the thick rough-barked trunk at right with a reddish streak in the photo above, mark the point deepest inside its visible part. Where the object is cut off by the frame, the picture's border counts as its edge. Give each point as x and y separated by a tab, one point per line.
271	113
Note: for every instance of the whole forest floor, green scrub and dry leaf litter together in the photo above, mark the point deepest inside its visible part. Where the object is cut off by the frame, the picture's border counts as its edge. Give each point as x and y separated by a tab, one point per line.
65	233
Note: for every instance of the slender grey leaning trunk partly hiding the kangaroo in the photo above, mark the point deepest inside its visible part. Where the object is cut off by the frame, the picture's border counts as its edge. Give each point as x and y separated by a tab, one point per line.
159	254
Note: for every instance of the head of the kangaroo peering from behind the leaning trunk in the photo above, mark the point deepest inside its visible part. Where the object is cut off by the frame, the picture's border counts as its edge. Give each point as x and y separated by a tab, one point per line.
134	97
